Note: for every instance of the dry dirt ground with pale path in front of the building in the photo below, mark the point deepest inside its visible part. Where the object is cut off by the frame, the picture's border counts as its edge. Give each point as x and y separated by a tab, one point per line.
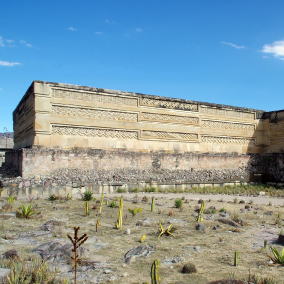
211	251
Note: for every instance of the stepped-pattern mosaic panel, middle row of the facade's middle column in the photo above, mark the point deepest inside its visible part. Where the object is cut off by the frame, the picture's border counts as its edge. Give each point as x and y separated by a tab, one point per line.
169	118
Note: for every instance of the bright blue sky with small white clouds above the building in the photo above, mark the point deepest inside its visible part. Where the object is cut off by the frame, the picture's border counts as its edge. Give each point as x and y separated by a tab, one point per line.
219	51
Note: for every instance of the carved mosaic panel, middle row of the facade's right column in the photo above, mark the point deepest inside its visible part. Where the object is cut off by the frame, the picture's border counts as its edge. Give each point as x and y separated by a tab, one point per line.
227	125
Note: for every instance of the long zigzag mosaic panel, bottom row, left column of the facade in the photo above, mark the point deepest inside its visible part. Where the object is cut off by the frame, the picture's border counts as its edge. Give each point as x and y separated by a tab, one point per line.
94	132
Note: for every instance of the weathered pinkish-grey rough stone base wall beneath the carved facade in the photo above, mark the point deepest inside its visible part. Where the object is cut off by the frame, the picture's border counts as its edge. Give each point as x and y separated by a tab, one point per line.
117	166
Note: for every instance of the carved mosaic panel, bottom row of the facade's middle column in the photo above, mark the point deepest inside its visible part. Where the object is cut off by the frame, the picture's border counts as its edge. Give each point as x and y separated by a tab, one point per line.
169	135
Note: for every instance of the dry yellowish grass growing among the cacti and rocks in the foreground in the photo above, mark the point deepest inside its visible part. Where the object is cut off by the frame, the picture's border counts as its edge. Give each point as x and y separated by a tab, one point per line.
212	251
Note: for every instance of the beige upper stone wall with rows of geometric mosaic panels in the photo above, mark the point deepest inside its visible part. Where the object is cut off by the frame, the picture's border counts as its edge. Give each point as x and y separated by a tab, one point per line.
53	115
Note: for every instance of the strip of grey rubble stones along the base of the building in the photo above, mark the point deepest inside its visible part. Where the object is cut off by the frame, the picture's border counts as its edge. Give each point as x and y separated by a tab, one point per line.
9	175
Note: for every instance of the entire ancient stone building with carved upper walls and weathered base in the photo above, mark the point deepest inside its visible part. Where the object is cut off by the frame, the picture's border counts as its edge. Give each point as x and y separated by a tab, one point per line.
60	128
